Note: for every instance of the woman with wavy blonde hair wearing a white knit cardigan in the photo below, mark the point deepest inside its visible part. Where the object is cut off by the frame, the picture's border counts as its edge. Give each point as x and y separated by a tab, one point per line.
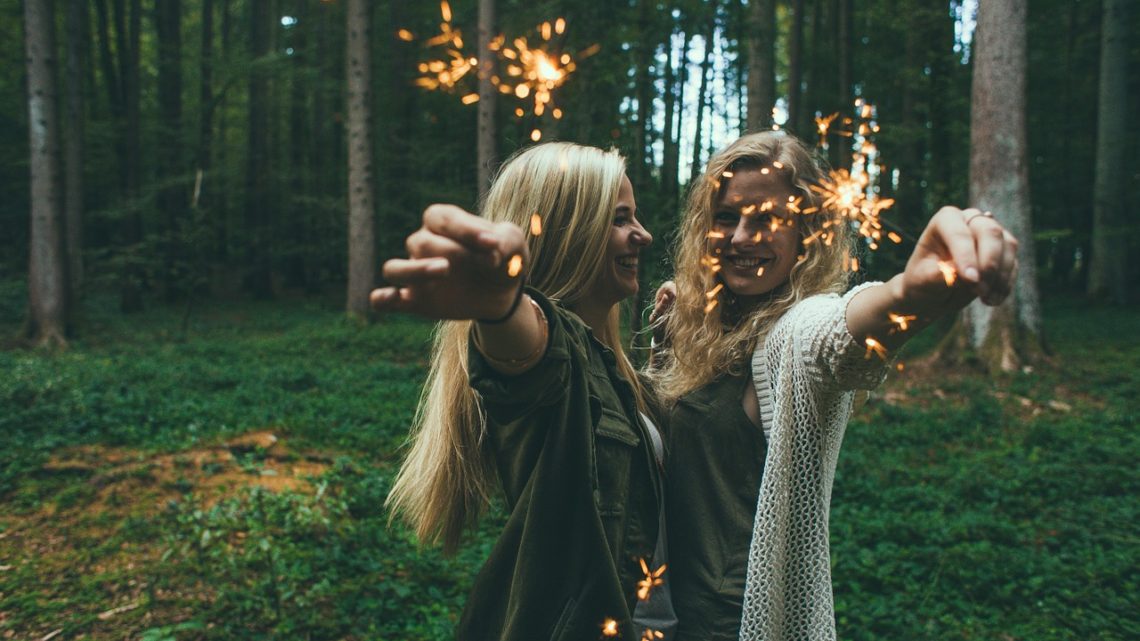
762	353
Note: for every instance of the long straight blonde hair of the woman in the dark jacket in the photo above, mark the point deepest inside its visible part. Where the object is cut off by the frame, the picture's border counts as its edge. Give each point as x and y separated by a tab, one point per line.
449	477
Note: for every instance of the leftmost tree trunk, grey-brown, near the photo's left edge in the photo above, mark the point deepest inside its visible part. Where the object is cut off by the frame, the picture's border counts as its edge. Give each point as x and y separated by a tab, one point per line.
47	270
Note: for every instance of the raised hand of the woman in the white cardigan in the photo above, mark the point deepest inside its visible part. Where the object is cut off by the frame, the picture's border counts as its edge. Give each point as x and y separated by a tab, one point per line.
963	255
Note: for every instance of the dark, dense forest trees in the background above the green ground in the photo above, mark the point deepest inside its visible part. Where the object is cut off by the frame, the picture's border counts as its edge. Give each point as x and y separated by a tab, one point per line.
206	145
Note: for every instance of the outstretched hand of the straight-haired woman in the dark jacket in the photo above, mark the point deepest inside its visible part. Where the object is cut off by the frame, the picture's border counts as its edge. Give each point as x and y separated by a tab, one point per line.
460	266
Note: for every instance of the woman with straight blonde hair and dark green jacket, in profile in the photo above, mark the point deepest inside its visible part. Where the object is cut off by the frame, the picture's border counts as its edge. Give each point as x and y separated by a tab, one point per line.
531	396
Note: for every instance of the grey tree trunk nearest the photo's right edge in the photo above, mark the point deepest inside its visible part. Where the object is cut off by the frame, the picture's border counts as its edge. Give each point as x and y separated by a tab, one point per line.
1108	265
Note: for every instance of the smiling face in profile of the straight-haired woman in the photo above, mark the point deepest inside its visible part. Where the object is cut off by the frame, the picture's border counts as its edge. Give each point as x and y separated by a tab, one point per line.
618	279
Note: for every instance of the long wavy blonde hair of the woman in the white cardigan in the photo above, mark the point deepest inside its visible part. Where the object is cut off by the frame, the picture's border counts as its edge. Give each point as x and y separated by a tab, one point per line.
704	345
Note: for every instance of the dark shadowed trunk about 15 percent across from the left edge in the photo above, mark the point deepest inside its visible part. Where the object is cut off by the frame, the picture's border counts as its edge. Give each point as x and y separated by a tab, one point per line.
168	18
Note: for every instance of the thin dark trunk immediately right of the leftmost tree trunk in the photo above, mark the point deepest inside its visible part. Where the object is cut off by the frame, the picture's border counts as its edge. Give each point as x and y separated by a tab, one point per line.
74	165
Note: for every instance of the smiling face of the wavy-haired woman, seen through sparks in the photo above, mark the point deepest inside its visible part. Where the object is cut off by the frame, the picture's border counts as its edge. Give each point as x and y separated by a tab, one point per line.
754	234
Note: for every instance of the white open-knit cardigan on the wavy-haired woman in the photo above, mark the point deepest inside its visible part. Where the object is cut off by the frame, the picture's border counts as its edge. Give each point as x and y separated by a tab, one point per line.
805	375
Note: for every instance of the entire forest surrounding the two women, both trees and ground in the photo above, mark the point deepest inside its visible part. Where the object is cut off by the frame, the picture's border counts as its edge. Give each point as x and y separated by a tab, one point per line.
200	417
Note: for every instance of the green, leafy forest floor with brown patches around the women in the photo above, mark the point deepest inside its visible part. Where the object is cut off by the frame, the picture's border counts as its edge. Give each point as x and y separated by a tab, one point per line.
222	476
